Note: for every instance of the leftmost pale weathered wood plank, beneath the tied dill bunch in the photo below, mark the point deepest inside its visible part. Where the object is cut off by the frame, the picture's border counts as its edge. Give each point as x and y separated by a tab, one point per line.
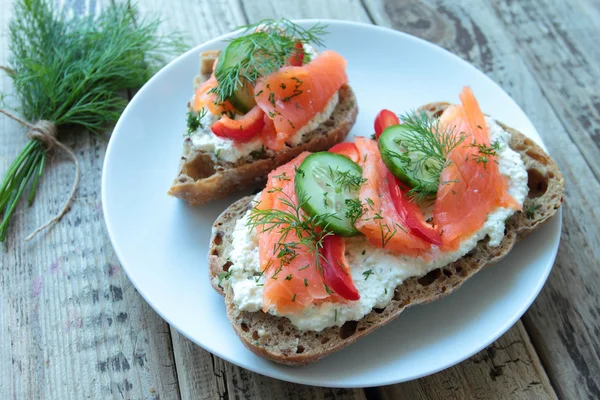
71	324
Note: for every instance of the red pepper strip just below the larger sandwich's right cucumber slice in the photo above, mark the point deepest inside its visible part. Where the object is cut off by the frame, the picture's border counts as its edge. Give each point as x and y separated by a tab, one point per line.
411	213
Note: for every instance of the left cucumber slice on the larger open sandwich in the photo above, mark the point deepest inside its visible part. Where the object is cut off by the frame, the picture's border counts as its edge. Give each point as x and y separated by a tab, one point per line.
325	183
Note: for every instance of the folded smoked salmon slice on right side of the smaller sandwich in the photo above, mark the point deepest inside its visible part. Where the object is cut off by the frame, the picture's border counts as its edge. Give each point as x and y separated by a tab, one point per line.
292	96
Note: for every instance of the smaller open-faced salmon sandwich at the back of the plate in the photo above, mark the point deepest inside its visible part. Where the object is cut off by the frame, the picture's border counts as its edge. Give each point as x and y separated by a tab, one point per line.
267	97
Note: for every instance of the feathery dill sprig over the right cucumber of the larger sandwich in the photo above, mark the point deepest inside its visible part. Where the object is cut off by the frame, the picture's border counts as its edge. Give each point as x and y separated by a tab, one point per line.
426	144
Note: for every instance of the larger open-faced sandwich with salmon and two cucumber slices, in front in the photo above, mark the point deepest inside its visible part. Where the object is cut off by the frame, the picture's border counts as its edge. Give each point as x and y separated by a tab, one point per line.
339	243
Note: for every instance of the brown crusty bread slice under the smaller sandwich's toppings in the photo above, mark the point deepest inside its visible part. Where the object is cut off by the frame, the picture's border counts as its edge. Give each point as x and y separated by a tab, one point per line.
201	179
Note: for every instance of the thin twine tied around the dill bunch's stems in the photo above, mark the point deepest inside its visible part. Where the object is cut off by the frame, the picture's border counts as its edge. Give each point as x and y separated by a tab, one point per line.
45	131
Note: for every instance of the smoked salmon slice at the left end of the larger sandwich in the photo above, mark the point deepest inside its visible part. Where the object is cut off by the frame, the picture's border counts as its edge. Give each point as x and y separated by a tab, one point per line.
292	279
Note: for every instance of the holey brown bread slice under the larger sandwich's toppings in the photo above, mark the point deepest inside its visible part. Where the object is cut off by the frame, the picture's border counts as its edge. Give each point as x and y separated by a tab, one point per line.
276	339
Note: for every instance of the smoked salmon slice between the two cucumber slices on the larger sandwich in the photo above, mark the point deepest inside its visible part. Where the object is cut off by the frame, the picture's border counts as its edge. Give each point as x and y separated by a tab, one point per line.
380	223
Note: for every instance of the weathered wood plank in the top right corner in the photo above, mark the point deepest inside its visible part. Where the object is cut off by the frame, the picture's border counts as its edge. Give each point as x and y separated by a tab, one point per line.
565	60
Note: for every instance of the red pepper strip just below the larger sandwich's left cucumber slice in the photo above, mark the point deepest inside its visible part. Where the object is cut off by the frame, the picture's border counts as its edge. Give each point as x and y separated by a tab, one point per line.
335	269
